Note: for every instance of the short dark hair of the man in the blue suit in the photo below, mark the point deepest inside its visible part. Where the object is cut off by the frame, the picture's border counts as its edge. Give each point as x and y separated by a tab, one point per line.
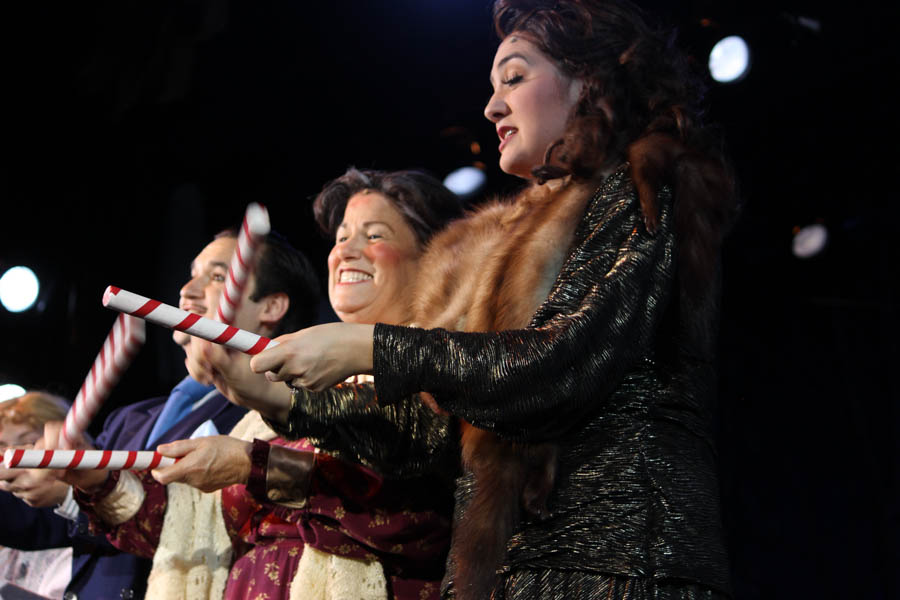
281	268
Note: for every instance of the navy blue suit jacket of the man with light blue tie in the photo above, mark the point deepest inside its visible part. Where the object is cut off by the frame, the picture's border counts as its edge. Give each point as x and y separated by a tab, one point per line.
99	571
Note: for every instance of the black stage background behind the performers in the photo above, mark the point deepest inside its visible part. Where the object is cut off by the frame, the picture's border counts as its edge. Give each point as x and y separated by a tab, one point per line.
132	131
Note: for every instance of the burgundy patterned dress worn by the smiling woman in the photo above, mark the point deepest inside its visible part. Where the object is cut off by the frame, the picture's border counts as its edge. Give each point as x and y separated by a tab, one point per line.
351	511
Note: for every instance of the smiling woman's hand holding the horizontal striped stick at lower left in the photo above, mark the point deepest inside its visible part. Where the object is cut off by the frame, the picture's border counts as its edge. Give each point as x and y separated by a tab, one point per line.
207	463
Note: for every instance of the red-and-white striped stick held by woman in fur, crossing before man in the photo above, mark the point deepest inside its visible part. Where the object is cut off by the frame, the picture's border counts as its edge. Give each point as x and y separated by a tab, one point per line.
191	323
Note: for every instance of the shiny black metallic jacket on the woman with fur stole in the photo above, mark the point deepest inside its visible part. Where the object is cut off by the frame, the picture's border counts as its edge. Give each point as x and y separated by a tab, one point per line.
615	368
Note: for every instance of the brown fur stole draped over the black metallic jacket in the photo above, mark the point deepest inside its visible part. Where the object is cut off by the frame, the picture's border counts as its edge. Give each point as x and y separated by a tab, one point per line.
489	272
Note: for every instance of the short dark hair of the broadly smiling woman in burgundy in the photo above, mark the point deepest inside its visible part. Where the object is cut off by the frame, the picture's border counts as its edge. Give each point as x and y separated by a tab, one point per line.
426	205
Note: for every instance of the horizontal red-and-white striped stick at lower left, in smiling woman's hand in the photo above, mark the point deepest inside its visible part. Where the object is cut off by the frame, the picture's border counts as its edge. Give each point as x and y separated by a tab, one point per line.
84	459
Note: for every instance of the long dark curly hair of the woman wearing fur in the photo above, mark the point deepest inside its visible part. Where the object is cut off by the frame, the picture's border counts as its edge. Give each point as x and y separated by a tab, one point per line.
655	123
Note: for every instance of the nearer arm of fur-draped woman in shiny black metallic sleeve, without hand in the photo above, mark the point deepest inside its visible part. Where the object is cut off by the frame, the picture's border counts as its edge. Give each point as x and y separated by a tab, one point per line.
537	383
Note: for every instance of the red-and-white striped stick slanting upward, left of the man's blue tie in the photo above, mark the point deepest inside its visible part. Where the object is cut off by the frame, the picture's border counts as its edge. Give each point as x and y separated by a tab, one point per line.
122	343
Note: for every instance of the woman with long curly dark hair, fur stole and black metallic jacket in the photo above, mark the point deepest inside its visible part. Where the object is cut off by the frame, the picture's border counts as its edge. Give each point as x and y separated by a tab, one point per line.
584	324
